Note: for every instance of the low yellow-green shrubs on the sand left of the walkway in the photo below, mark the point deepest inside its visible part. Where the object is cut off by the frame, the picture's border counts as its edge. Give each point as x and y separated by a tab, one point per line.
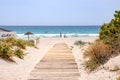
10	47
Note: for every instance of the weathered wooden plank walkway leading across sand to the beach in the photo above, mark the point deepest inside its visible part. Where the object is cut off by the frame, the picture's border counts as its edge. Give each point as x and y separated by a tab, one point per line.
57	64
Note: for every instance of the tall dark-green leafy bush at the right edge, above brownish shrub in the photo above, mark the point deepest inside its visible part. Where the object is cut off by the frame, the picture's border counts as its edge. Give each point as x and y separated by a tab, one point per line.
110	33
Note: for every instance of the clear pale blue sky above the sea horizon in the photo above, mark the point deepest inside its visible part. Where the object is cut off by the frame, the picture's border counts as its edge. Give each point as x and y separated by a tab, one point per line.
57	12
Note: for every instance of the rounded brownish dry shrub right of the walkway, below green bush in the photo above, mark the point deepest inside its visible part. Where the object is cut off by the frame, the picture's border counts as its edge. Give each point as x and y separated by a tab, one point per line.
97	53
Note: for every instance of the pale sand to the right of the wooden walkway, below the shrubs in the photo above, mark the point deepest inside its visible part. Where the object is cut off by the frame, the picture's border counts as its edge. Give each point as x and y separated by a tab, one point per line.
101	73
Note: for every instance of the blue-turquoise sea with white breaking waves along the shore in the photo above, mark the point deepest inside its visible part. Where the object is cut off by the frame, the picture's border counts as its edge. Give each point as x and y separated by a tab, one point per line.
54	31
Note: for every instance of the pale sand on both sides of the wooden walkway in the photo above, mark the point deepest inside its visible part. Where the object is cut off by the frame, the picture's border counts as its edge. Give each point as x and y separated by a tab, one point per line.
22	68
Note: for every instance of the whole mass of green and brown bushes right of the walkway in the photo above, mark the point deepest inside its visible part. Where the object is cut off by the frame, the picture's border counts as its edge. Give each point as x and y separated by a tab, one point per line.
108	44
